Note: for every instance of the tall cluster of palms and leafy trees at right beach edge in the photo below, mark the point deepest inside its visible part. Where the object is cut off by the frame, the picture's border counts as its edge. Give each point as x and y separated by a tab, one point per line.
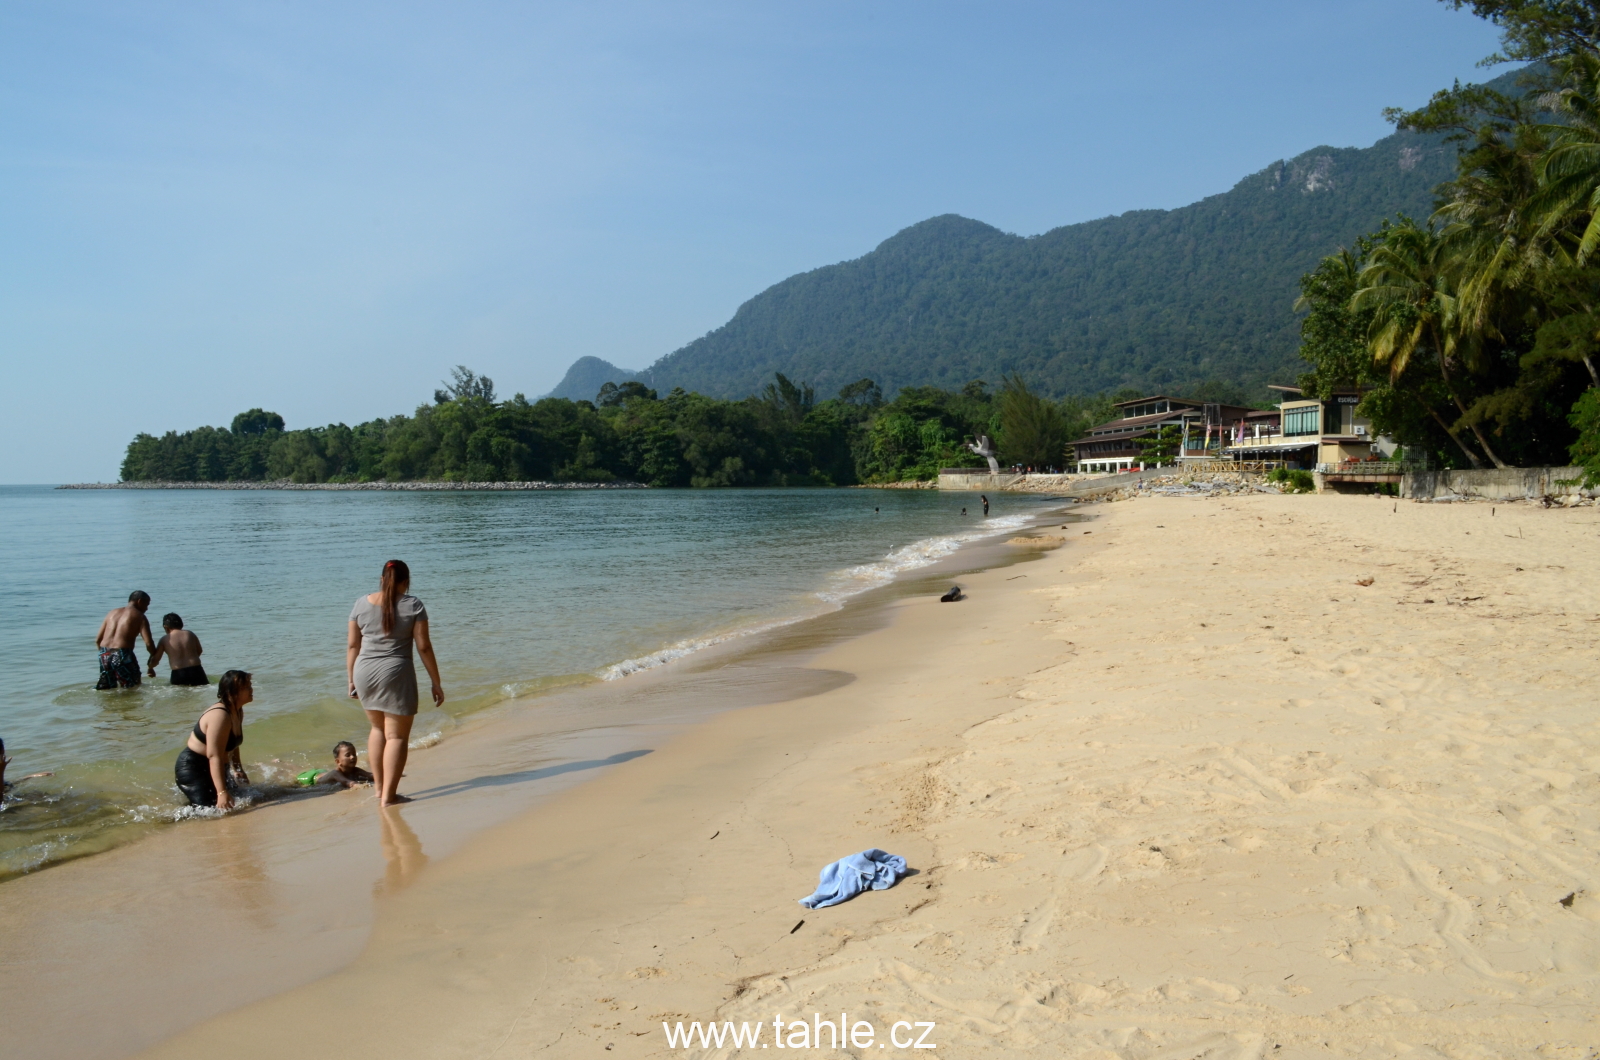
1476	332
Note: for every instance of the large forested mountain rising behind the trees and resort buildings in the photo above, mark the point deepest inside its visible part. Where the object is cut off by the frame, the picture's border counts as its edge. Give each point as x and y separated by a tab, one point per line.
1156	300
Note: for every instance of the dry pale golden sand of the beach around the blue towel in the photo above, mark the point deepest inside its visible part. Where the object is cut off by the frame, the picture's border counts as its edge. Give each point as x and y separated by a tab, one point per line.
1249	777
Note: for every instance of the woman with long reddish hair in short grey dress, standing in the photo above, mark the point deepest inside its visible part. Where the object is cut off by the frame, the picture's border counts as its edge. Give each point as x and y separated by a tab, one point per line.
378	660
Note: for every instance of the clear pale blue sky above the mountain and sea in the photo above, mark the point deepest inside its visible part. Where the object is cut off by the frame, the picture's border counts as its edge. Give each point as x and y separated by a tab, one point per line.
322	207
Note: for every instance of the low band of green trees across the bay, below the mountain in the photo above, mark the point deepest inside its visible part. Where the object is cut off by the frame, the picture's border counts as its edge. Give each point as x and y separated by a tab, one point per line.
783	436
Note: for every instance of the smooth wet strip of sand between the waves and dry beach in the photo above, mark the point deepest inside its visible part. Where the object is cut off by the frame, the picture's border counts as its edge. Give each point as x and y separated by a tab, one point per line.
310	865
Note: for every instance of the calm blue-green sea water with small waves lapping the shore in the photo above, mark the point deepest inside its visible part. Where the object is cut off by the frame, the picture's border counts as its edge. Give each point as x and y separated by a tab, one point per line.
526	593
